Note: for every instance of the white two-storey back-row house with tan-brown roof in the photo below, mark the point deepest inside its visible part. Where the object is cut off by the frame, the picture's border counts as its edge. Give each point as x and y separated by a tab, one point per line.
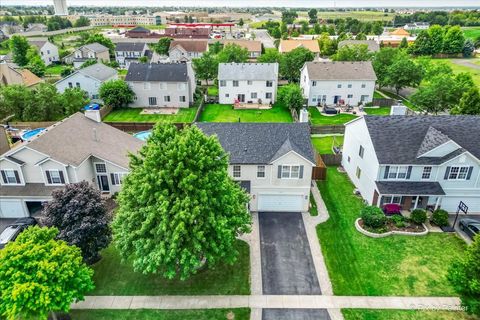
329	83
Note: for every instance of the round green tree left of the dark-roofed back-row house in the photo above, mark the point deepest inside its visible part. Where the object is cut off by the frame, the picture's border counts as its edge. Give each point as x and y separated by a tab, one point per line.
116	93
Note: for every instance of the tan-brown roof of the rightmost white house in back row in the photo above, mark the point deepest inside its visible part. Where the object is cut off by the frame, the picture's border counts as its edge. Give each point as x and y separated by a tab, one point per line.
340	70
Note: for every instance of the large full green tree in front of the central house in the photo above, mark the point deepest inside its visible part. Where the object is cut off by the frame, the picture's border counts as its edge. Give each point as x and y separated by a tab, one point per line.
178	207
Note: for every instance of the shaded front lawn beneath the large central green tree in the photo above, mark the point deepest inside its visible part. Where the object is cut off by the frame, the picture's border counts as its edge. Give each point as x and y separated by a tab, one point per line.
112	277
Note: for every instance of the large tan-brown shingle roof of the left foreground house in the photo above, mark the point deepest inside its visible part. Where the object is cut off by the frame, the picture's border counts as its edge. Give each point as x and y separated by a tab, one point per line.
72	140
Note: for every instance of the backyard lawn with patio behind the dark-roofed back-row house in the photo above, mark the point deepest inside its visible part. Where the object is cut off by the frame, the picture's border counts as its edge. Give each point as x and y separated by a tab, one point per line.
185	115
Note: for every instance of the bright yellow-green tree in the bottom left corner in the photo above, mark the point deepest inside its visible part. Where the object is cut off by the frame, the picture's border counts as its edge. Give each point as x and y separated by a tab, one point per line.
40	275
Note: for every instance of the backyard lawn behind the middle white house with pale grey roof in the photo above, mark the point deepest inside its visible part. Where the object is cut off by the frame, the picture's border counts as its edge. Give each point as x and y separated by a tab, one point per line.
226	113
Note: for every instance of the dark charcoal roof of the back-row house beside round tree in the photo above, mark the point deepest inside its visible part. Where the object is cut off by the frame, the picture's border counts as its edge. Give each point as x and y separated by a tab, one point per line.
173	72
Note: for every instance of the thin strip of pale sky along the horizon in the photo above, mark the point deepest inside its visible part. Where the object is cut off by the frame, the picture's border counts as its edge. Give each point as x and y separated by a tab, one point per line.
258	3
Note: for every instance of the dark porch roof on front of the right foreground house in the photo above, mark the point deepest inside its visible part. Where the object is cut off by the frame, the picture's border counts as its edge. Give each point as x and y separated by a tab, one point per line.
410	188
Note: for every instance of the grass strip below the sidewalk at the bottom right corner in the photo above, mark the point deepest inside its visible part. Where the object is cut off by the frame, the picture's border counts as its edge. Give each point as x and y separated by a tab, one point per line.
365	314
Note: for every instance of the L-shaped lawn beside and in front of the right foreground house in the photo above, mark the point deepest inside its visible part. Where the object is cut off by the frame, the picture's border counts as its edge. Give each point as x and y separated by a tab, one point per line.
395	265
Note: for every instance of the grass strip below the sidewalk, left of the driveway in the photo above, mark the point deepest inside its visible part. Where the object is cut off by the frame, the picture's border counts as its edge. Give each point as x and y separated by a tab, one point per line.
147	314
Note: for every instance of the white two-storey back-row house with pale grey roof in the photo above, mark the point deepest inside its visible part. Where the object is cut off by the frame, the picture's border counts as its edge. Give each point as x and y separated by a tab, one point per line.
247	83
